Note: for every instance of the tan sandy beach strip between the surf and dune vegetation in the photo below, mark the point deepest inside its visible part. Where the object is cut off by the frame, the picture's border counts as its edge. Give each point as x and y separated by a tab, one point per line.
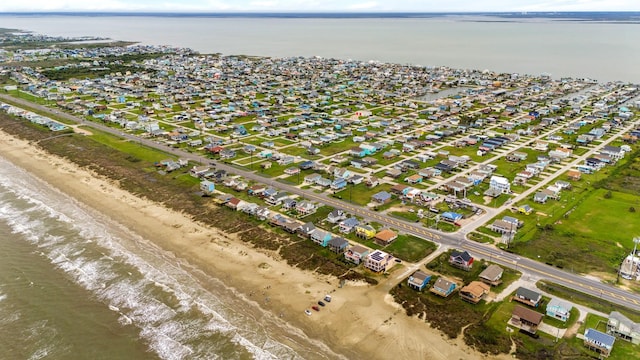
360	322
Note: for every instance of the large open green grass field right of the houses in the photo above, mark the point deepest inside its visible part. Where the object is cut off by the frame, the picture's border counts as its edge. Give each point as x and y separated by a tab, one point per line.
563	237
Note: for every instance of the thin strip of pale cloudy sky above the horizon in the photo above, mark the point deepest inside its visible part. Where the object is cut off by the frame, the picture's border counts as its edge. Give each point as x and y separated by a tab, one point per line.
321	5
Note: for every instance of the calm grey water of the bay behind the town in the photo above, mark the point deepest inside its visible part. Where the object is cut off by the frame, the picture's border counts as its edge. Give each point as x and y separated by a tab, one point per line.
600	50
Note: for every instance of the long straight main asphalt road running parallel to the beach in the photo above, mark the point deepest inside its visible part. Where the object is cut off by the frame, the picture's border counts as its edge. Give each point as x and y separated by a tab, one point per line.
528	267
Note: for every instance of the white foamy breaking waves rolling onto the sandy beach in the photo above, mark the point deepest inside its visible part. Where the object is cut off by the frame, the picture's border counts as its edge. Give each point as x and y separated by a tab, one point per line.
176	316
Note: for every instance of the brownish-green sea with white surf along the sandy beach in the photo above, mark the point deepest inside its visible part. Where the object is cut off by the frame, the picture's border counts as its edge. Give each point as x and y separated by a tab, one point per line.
75	285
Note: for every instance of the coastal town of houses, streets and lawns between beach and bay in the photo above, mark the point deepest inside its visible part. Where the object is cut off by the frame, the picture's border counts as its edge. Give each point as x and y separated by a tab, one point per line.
448	188
